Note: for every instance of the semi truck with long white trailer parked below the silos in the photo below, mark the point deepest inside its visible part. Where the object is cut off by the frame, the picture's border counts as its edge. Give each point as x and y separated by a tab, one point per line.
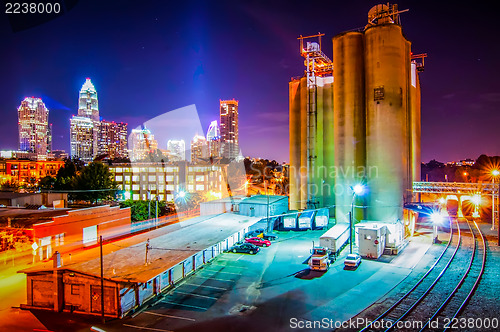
330	245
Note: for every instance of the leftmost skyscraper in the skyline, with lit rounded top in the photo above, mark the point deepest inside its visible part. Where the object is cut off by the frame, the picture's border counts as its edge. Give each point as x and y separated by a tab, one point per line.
34	129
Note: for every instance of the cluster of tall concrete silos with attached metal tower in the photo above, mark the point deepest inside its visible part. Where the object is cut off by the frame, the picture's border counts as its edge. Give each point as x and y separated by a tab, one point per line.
356	119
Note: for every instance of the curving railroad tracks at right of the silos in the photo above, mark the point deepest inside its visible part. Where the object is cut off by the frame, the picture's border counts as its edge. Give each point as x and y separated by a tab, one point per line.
439	296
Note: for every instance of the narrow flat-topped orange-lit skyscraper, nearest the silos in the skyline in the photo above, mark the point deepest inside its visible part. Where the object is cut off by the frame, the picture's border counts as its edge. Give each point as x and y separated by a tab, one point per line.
229	128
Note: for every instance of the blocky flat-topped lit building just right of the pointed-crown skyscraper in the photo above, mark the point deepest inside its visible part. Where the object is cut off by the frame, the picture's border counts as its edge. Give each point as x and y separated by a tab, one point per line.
112	139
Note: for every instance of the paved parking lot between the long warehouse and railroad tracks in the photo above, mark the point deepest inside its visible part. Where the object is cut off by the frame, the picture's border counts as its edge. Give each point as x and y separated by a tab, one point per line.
235	291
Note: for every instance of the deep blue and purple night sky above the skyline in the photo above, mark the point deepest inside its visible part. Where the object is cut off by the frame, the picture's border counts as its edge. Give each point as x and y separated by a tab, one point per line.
148	57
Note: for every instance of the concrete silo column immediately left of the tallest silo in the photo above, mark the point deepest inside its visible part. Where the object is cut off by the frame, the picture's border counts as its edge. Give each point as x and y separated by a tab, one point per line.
349	119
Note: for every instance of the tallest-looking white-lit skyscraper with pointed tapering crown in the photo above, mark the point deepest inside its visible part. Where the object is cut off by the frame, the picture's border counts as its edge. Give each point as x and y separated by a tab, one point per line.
84	128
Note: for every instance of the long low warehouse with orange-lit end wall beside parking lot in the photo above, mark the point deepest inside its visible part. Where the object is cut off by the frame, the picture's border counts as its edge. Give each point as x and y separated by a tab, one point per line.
135	270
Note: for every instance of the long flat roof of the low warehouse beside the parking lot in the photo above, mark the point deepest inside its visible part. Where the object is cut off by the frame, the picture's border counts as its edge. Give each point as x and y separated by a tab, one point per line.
125	259
